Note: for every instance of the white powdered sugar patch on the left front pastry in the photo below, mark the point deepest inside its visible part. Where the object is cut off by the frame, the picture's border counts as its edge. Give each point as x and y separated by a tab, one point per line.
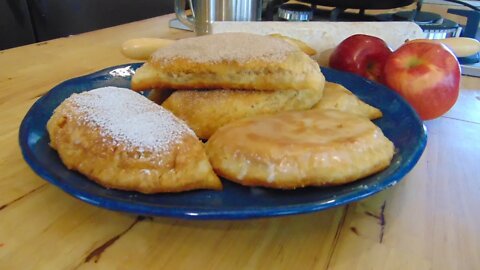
128	119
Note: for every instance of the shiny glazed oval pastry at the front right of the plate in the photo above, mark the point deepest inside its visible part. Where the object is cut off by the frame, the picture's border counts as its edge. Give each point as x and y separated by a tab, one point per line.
297	149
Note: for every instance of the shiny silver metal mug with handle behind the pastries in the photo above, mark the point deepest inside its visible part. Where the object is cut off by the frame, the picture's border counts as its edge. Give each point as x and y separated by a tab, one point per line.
204	12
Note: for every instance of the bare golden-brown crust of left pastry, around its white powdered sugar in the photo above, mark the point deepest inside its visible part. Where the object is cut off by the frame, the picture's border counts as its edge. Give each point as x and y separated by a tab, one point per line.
84	146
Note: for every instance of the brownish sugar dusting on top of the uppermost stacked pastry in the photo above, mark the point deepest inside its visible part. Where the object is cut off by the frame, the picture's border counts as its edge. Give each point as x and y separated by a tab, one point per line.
238	47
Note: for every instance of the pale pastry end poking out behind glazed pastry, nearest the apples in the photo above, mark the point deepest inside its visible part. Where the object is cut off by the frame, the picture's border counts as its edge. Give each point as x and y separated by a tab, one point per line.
337	97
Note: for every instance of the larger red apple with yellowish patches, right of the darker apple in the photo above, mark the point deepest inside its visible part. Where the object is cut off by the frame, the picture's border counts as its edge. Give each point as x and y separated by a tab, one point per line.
427	75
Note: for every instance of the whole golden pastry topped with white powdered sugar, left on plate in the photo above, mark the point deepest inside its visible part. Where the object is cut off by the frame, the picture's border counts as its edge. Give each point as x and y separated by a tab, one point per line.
122	140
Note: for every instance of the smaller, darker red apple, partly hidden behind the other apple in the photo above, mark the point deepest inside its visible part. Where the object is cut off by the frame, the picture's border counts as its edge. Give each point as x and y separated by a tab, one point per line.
361	54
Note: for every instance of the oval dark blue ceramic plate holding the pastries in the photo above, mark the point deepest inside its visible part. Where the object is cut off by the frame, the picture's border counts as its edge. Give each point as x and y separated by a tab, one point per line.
399	123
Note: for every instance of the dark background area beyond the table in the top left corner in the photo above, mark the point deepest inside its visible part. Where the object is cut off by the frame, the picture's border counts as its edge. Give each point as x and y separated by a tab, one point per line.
28	21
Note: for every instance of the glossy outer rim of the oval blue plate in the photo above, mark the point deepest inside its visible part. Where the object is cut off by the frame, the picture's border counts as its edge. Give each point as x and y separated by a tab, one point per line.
200	213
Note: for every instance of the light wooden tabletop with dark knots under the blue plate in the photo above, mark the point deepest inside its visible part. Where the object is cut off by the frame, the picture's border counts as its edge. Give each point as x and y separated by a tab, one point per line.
430	220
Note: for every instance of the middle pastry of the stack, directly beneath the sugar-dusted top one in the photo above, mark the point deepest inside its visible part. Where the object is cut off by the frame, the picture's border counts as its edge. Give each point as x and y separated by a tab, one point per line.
206	111
